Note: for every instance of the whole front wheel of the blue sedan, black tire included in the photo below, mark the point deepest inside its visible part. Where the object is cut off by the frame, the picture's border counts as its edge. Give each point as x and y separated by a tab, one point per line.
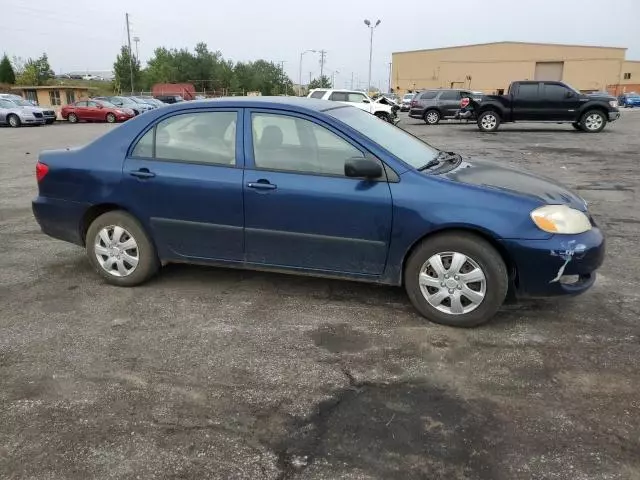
488	294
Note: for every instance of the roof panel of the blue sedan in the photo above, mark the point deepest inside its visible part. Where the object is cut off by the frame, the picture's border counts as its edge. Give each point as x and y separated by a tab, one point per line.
302	103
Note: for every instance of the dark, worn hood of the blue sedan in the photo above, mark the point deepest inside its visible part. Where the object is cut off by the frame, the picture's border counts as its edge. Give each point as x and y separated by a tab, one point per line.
493	175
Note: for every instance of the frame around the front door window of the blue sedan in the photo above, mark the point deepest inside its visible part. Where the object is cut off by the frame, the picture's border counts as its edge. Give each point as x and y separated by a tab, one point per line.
250	163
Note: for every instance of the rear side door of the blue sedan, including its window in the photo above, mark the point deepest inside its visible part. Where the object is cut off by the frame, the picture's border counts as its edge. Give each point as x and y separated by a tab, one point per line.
183	178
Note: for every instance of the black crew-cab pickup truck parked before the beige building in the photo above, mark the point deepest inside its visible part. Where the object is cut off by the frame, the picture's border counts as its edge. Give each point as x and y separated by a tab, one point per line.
537	101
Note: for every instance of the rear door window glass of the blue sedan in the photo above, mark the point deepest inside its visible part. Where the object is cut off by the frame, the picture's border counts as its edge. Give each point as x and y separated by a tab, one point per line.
204	137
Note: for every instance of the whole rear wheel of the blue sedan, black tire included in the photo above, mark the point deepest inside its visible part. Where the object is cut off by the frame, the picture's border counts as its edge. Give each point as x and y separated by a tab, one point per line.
144	252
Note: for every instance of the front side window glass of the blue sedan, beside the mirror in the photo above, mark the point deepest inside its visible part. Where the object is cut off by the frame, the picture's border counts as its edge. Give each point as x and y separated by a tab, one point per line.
292	144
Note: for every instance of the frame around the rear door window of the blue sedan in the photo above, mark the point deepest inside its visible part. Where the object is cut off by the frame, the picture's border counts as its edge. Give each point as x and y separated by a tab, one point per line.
239	146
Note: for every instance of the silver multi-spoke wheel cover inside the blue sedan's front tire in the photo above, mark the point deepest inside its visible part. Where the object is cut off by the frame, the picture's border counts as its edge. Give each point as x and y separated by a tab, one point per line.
452	283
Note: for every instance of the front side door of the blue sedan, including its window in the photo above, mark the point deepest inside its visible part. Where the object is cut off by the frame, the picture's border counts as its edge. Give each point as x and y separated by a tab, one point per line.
301	211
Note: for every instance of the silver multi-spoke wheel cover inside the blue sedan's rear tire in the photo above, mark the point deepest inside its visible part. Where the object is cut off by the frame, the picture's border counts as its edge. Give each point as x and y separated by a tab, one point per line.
116	251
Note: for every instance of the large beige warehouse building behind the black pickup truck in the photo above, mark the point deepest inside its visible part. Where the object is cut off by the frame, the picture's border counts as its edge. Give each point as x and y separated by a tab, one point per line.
491	67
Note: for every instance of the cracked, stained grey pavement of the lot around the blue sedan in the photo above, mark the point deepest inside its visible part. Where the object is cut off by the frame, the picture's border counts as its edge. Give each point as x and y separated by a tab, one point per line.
213	373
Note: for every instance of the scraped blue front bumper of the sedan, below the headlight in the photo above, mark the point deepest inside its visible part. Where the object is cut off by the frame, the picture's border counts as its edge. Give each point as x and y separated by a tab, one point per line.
560	265
